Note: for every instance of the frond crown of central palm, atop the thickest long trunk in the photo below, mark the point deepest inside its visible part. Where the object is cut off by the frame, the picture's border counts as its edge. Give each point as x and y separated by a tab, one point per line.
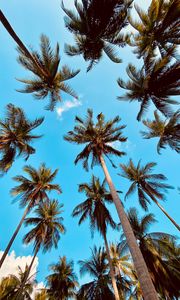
98	138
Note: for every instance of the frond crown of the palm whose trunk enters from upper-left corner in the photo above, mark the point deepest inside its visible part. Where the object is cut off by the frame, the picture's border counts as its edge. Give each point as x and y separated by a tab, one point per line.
52	82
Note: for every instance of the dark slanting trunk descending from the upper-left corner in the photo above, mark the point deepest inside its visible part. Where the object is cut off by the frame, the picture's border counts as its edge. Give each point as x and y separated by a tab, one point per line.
12	33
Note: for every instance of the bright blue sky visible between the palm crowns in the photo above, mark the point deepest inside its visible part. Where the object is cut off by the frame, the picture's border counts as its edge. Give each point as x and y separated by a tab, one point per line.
97	89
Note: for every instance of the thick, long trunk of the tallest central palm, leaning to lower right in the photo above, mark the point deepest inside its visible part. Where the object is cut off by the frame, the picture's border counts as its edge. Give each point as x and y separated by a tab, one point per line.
149	292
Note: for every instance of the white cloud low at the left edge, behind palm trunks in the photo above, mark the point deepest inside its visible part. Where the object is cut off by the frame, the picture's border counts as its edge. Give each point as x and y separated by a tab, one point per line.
12	262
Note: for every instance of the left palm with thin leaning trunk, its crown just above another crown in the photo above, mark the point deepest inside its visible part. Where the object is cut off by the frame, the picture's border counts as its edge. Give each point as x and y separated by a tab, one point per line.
31	192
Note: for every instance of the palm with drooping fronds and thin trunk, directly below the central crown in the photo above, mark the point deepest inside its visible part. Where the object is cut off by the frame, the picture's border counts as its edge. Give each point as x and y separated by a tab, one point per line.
99	216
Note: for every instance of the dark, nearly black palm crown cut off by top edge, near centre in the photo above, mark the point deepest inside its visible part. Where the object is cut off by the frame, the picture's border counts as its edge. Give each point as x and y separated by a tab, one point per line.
96	28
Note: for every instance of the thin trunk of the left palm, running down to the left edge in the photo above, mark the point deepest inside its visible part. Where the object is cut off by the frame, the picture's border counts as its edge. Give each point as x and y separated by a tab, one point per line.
17	229
